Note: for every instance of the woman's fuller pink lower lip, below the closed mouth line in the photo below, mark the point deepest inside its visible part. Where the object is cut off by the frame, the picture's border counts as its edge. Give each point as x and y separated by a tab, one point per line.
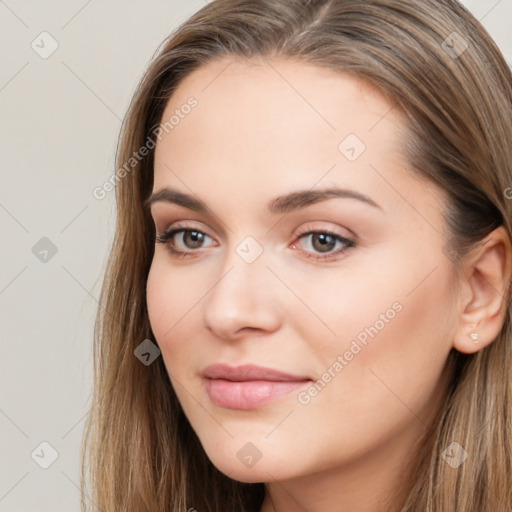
249	394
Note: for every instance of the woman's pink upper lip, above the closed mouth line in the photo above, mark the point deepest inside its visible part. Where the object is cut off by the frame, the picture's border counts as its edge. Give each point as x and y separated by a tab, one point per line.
248	372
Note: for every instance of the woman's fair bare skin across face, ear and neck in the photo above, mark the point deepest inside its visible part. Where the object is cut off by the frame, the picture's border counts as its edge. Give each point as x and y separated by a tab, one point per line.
261	130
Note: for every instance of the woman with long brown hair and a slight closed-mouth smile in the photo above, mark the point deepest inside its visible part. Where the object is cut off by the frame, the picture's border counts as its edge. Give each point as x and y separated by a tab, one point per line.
307	304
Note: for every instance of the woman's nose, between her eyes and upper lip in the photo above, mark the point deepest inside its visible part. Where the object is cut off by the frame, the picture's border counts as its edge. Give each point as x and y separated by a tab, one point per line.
242	301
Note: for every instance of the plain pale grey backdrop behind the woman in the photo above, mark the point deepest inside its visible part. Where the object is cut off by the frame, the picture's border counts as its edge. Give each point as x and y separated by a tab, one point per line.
59	123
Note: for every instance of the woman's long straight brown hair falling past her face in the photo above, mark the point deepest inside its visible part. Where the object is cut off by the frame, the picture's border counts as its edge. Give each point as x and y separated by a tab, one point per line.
439	66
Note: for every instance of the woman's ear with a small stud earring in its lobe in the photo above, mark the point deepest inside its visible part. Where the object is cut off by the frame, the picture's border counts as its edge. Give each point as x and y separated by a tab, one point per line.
487	277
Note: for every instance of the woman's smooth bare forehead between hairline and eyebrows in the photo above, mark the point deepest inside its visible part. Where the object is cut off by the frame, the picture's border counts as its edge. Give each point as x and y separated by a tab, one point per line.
281	125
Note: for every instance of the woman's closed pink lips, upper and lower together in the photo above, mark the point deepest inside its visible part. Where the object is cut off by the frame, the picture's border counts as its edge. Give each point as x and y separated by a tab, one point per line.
248	386
